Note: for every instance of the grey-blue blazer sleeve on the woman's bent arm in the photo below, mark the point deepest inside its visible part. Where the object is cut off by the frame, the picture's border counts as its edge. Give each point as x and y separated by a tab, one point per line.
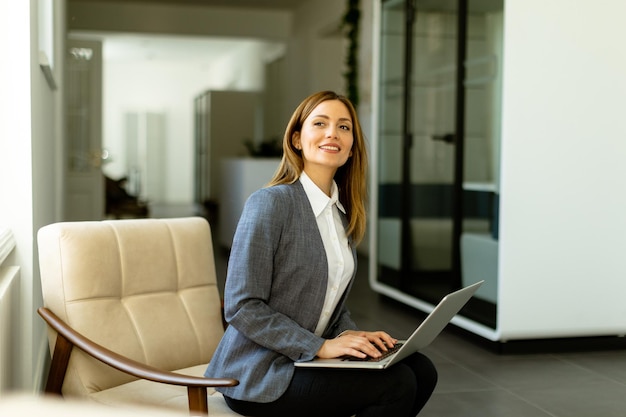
253	303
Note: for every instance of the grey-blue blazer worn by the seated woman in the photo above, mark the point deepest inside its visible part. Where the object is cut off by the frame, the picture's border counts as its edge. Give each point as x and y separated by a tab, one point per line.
275	289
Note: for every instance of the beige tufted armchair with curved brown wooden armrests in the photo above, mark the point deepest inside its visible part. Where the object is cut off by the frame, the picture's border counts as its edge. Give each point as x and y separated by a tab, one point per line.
134	312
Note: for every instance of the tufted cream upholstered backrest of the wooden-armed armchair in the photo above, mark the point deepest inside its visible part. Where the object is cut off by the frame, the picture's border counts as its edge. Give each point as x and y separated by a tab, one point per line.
144	288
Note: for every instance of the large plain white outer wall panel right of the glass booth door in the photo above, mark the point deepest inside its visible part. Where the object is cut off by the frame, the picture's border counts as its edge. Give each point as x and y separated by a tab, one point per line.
563	208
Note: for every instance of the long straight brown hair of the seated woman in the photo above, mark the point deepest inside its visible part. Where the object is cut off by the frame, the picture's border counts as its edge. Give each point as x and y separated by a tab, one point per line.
350	178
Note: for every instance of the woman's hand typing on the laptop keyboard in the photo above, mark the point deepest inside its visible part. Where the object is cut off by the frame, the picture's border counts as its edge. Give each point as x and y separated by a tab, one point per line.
357	343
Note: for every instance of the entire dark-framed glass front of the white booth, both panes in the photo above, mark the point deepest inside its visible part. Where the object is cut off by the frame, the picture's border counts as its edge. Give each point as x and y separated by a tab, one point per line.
435	142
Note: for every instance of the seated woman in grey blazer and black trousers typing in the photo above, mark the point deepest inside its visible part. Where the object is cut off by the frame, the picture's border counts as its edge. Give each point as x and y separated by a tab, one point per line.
290	270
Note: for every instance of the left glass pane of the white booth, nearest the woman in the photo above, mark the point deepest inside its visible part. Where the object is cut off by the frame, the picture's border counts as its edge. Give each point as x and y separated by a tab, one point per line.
416	144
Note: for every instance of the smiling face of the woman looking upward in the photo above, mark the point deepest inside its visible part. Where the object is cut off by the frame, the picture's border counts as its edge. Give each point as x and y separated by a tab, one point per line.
326	137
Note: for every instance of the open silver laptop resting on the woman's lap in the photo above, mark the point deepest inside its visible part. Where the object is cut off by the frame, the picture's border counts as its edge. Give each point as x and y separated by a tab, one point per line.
427	331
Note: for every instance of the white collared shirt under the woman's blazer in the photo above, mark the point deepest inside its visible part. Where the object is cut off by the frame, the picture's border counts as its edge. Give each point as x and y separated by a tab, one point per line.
338	251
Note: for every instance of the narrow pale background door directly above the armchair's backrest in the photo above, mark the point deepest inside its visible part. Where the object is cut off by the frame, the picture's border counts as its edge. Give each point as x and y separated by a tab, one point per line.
84	180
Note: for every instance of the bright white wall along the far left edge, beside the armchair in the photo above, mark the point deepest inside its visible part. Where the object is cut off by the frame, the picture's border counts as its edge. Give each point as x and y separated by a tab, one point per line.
30	169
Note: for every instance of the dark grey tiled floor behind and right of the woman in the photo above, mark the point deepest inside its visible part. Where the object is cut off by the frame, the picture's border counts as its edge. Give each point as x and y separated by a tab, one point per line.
476	382
